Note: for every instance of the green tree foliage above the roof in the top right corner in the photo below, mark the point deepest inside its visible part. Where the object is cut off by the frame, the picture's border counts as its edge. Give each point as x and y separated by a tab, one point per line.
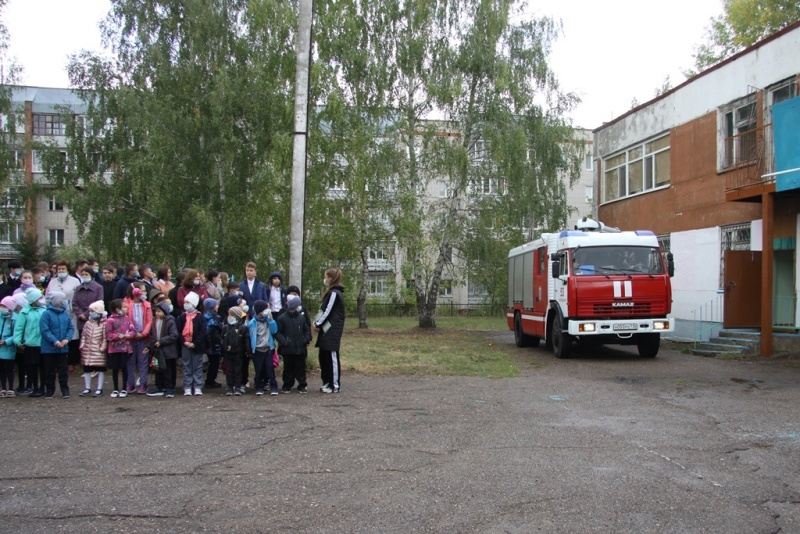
742	24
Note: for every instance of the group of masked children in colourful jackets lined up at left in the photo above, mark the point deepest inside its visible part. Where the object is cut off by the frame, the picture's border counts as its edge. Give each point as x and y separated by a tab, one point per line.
135	335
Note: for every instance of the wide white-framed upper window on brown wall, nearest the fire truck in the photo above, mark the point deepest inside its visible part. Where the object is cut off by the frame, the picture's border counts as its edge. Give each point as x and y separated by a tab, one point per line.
639	169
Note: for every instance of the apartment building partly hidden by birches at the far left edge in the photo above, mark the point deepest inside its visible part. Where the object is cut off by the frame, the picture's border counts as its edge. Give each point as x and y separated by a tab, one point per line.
39	115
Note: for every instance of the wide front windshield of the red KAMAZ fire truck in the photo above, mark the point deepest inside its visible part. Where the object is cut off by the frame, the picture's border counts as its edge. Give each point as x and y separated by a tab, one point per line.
617	260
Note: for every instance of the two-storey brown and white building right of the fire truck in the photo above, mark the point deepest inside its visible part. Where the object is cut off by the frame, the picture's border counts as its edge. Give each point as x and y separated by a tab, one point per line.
713	167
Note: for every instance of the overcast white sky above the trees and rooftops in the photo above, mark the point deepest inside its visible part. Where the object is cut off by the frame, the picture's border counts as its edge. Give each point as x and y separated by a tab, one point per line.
610	53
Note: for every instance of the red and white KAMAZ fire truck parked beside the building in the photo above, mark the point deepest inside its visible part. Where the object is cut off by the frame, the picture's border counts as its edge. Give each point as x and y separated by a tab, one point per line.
590	285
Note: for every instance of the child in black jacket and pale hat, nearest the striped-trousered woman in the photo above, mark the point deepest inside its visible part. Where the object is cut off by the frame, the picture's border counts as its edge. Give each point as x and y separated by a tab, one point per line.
293	337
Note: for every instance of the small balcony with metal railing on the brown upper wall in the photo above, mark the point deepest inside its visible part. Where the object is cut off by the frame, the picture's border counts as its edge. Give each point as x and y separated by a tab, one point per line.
747	159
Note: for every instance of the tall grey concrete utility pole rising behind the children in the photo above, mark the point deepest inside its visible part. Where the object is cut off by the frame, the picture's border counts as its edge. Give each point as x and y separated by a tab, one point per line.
298	208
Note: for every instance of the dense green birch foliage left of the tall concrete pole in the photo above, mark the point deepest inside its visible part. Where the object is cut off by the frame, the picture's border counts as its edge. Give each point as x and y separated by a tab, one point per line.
195	166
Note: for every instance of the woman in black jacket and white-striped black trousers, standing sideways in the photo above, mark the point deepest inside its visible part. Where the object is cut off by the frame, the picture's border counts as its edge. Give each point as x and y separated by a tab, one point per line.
329	323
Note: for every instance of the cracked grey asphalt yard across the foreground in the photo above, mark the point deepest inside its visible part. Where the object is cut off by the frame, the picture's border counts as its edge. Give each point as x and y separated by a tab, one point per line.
603	442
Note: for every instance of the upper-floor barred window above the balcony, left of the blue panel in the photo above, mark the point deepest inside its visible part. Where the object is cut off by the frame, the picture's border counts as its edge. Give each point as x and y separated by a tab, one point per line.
738	125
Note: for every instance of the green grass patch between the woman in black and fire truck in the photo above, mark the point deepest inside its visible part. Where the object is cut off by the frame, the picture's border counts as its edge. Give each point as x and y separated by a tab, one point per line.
459	346
